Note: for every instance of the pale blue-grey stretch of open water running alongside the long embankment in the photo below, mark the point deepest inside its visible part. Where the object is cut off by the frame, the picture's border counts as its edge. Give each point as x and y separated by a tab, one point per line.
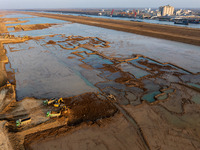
124	44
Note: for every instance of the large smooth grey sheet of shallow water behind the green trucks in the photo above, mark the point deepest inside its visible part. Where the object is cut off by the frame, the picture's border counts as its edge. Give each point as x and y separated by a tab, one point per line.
45	72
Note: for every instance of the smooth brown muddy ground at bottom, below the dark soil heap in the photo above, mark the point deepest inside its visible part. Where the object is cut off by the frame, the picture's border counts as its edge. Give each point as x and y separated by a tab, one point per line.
115	133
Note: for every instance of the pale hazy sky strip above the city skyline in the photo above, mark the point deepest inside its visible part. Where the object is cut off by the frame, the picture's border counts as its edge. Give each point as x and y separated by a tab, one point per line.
20	4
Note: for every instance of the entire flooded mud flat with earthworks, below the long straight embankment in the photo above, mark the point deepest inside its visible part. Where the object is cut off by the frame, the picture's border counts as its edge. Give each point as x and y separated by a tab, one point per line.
114	95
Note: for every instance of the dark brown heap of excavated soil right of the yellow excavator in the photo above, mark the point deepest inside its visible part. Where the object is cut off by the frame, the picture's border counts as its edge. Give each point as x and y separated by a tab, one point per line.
88	107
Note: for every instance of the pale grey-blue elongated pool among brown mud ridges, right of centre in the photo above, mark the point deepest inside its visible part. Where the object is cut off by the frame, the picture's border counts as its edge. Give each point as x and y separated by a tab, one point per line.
138	73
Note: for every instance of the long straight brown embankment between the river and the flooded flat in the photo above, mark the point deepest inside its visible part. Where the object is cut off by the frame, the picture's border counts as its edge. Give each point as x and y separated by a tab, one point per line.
179	34
